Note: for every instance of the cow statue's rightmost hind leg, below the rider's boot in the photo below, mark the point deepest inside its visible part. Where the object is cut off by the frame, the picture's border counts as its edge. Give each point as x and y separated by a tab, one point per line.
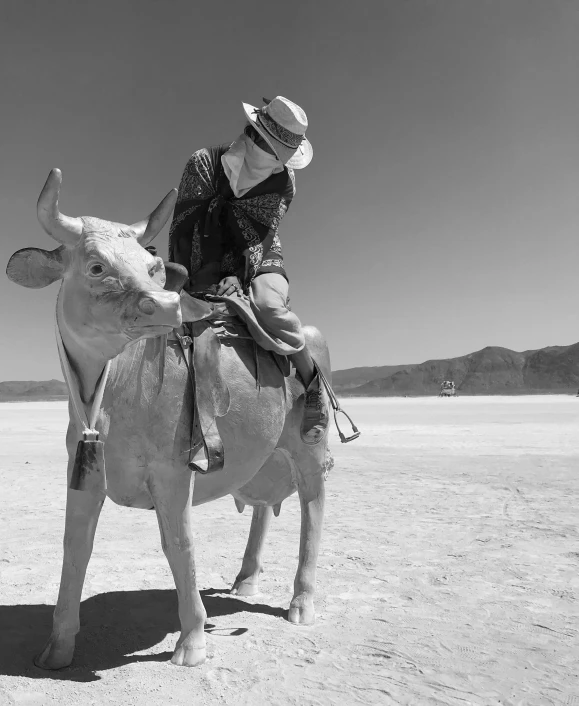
311	493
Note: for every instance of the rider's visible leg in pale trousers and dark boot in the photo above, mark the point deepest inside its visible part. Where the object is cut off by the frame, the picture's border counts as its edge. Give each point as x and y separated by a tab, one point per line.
269	298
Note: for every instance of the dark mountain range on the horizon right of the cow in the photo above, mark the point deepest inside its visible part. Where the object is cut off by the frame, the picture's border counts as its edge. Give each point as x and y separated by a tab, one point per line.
490	371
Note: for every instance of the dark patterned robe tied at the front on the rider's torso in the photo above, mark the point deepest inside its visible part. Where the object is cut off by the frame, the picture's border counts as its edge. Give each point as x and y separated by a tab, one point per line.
211	225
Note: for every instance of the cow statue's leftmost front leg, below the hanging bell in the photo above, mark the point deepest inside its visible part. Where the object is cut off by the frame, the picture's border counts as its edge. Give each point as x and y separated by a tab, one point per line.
82	514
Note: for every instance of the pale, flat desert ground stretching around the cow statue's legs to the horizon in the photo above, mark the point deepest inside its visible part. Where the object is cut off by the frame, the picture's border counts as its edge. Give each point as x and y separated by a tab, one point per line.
448	571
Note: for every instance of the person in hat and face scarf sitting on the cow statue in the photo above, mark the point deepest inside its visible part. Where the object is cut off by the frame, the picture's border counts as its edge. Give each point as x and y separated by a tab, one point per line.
231	200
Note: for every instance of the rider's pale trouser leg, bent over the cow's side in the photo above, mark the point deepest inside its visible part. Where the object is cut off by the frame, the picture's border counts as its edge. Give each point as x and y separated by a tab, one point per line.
269	298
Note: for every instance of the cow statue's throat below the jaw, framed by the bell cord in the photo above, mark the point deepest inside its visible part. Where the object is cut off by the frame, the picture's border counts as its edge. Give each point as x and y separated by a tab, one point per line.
87	352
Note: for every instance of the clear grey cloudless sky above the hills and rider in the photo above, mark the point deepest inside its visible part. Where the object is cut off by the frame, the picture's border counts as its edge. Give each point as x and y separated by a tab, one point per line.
440	212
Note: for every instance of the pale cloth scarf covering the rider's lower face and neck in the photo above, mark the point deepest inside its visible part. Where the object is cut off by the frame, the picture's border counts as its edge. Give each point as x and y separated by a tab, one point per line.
246	165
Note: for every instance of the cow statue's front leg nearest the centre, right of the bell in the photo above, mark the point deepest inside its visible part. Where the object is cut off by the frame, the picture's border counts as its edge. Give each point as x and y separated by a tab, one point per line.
172	497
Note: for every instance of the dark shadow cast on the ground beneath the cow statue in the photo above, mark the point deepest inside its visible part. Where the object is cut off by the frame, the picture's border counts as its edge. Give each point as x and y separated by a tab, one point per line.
113	627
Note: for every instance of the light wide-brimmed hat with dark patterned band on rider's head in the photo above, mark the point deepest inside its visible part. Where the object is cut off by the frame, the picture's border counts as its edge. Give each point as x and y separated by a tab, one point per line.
283	125
